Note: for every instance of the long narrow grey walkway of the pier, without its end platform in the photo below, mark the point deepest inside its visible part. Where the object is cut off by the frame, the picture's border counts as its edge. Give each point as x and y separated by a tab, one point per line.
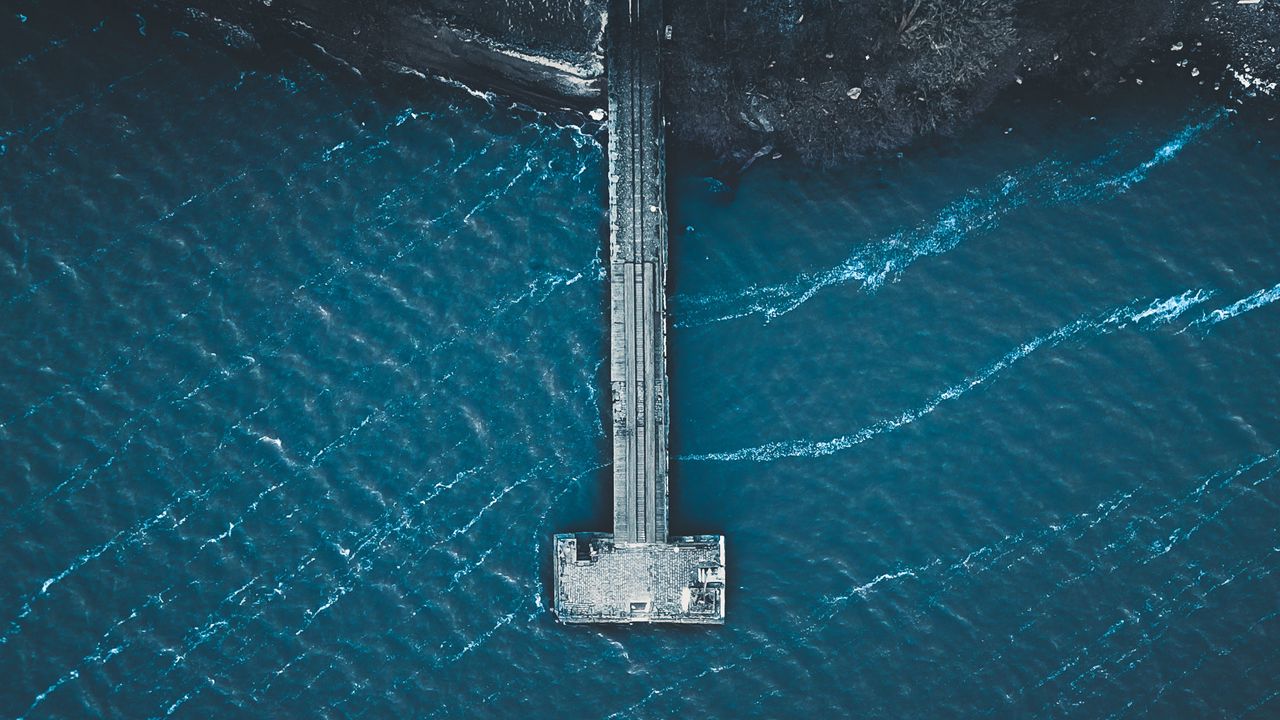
638	275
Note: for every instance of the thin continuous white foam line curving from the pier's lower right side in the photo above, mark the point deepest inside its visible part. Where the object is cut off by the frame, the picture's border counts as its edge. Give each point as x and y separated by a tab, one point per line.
1151	315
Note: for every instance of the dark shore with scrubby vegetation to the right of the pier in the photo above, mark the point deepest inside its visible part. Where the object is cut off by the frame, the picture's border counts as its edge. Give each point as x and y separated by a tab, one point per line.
834	80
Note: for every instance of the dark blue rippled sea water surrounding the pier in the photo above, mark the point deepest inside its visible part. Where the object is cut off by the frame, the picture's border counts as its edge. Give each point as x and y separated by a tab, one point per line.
300	372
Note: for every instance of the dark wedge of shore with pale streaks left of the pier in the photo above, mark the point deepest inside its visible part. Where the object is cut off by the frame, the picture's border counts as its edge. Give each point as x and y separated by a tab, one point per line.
547	52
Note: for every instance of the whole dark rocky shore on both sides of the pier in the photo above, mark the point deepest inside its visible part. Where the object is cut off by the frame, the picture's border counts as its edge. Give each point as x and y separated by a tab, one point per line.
813	79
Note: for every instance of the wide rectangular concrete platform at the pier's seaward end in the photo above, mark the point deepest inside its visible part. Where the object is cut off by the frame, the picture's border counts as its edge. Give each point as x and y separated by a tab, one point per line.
601	581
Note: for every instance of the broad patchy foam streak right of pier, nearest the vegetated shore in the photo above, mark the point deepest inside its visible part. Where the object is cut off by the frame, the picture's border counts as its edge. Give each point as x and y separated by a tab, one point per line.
884	261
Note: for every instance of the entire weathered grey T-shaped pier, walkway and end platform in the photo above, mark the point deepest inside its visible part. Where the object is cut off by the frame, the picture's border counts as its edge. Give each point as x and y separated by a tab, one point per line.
638	575
